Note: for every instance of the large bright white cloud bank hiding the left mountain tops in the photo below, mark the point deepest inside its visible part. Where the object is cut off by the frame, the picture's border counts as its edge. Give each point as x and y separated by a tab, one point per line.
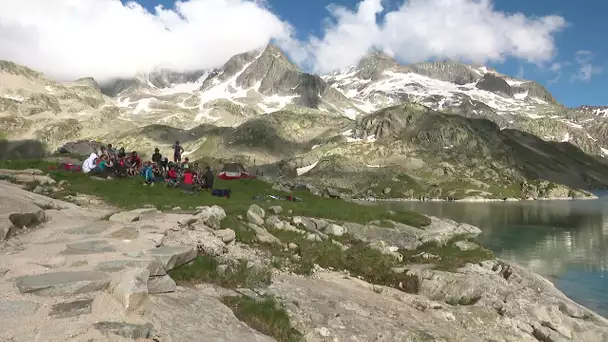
69	39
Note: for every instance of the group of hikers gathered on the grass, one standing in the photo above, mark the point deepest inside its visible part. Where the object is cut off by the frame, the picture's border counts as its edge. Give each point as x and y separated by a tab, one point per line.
109	162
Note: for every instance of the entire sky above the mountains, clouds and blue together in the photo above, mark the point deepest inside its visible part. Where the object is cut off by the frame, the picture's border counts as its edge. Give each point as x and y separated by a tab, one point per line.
557	43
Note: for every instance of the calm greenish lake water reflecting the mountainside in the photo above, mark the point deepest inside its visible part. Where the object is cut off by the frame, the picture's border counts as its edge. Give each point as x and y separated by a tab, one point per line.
565	241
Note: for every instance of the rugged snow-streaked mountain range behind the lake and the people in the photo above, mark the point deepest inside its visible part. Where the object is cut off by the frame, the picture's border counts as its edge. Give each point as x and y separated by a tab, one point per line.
378	128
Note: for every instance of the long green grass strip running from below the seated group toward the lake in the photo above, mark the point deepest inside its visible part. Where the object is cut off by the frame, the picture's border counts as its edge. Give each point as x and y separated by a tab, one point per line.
131	194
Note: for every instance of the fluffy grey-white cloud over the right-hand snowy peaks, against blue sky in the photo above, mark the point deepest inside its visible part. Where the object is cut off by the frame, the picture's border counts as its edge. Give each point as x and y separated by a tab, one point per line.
423	29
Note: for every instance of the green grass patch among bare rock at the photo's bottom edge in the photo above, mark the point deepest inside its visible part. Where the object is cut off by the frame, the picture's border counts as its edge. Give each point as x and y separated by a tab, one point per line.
264	315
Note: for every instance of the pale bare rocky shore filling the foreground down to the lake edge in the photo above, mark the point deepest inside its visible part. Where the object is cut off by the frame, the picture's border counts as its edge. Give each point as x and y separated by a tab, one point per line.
89	273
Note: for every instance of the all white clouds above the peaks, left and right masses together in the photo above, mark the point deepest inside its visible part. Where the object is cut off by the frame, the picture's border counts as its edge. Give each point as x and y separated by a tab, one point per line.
68	39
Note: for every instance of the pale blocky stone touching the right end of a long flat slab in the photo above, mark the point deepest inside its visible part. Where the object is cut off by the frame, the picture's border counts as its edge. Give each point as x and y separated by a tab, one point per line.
131	289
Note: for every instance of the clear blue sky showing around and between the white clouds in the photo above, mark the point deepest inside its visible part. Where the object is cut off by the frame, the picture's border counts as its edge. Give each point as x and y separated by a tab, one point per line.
585	32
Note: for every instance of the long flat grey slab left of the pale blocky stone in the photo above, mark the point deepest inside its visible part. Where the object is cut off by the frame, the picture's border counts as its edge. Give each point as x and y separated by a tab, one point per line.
63	283
